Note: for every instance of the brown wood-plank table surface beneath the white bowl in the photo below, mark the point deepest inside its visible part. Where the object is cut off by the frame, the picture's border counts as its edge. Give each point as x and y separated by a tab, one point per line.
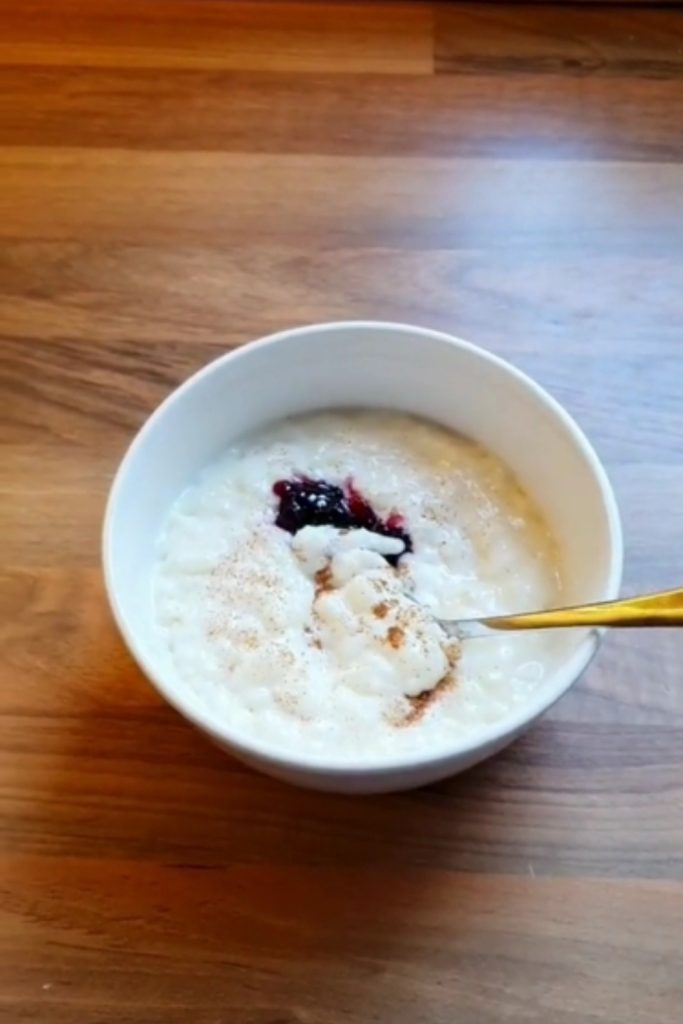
178	178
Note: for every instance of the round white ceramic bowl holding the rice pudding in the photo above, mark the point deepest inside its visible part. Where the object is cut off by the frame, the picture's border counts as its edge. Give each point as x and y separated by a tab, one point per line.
374	366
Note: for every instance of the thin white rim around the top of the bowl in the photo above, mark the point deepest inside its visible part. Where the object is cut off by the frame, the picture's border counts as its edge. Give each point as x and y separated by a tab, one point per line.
487	737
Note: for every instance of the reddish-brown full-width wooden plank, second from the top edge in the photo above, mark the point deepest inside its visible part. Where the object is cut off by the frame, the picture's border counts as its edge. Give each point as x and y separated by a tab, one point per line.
573	116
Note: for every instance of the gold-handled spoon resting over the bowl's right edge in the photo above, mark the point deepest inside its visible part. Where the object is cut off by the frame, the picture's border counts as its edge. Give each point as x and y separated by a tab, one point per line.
664	609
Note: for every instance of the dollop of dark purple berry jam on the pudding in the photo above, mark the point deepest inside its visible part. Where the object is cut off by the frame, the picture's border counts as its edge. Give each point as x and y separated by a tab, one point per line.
317	503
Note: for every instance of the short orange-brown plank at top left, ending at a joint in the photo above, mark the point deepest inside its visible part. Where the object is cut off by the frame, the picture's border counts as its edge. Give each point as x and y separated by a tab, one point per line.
297	37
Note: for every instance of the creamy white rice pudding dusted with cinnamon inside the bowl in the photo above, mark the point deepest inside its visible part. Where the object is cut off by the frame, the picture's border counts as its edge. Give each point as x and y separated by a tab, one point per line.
294	584
